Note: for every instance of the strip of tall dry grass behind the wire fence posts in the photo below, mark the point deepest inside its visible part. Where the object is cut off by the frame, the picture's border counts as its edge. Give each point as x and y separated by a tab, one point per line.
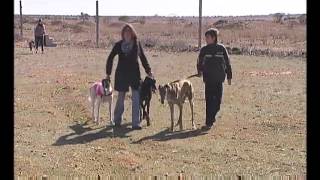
252	37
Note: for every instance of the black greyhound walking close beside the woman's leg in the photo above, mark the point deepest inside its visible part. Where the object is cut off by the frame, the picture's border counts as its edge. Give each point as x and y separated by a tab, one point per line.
147	87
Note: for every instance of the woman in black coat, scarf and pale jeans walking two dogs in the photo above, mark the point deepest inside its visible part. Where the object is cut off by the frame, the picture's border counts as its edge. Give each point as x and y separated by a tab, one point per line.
127	73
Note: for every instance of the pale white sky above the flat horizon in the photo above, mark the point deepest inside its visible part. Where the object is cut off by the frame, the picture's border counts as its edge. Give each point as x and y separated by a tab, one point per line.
161	7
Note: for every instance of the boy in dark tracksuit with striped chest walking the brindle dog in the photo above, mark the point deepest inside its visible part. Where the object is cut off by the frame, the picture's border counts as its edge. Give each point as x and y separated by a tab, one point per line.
214	65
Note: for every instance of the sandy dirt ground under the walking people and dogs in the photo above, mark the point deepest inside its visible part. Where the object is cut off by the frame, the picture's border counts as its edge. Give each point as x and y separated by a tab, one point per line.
260	130
